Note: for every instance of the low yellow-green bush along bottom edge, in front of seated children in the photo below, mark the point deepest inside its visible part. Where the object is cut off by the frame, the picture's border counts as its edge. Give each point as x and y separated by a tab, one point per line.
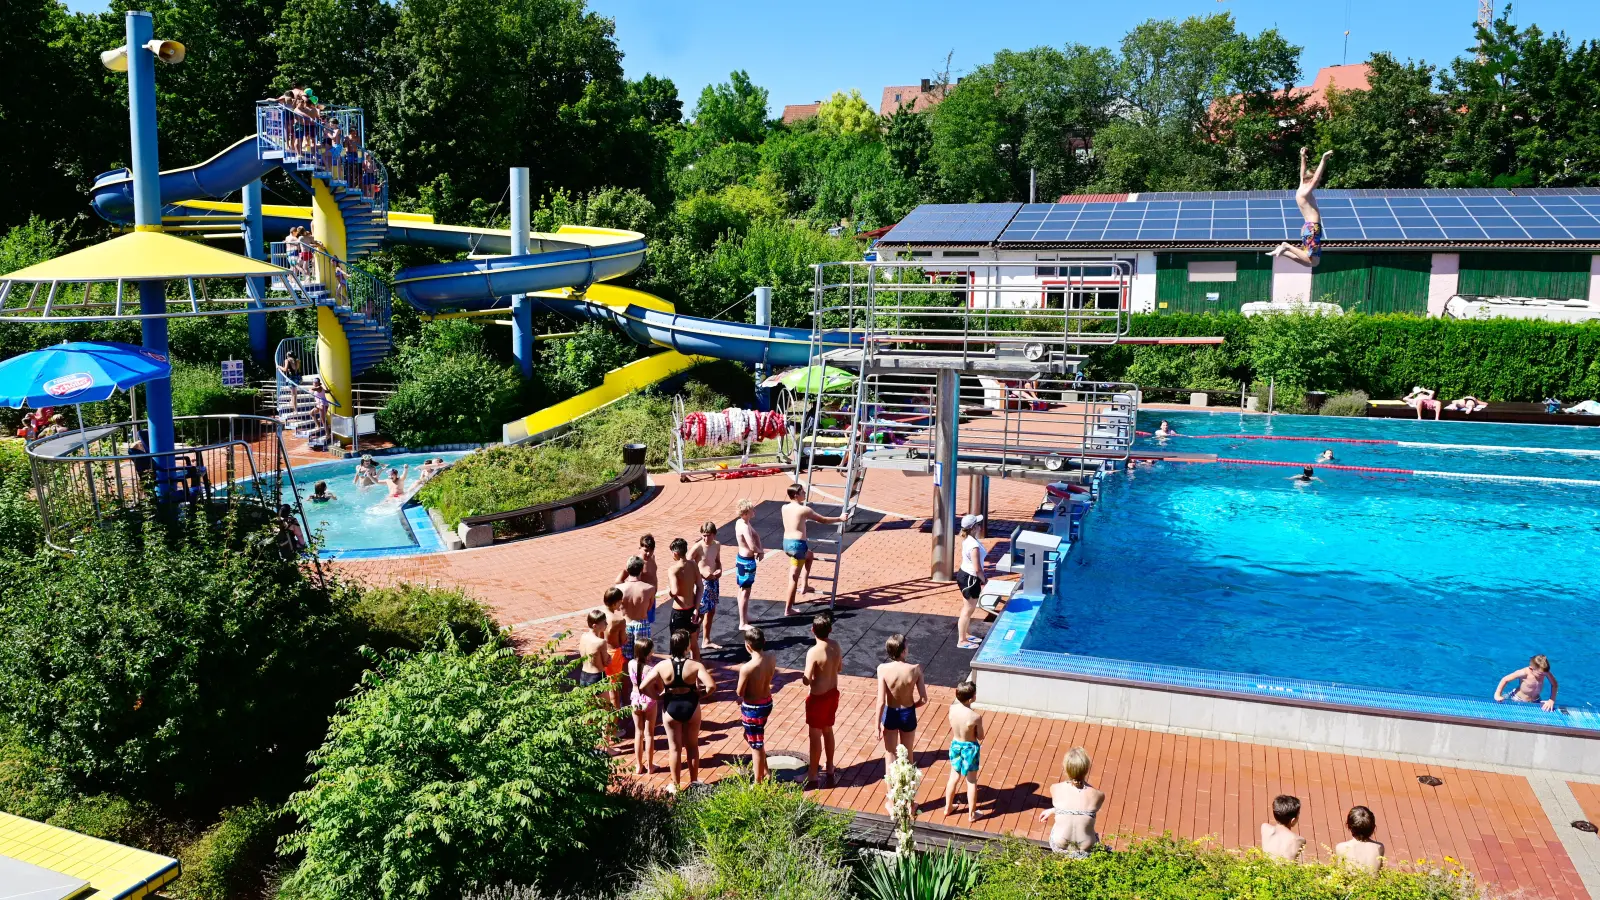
1172	869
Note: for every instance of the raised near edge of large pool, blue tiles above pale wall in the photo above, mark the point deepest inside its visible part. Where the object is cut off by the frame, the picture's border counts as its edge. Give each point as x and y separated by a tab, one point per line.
1239	707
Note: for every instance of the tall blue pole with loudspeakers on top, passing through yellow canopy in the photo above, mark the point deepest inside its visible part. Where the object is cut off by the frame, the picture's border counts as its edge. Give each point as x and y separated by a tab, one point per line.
148	217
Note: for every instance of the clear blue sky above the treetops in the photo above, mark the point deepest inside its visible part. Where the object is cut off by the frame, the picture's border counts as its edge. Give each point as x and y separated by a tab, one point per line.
806	50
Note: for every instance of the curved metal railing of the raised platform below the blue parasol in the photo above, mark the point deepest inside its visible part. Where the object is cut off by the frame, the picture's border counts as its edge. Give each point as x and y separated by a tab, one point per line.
102	473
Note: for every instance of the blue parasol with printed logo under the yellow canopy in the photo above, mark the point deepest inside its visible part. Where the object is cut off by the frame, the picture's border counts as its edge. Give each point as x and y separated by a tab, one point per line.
79	372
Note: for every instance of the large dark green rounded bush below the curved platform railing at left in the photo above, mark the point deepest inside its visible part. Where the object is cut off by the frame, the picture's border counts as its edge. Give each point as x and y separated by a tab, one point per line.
172	664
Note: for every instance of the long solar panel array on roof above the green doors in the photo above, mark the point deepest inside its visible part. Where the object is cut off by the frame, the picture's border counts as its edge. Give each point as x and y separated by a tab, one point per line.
1385	217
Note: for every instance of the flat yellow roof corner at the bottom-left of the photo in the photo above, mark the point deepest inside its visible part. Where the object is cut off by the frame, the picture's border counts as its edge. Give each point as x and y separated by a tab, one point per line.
113	870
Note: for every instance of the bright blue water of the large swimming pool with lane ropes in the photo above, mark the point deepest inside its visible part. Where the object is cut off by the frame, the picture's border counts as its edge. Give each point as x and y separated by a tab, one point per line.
1372	581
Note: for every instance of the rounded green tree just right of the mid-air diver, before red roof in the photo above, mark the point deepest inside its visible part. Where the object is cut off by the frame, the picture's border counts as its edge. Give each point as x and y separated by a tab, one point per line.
1390	135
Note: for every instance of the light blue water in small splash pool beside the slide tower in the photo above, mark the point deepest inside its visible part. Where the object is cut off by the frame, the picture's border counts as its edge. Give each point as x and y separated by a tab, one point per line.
359	518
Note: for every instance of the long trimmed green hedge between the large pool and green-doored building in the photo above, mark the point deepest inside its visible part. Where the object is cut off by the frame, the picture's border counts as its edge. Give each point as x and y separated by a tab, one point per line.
1498	360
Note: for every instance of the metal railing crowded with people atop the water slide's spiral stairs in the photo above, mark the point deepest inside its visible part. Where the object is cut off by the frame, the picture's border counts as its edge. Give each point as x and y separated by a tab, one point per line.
334	145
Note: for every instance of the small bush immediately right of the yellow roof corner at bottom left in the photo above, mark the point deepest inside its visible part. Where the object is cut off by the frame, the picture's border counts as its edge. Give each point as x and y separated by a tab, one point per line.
233	859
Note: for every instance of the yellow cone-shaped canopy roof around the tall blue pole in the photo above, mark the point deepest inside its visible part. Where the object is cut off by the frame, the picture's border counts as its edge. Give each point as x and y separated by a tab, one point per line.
143	255
